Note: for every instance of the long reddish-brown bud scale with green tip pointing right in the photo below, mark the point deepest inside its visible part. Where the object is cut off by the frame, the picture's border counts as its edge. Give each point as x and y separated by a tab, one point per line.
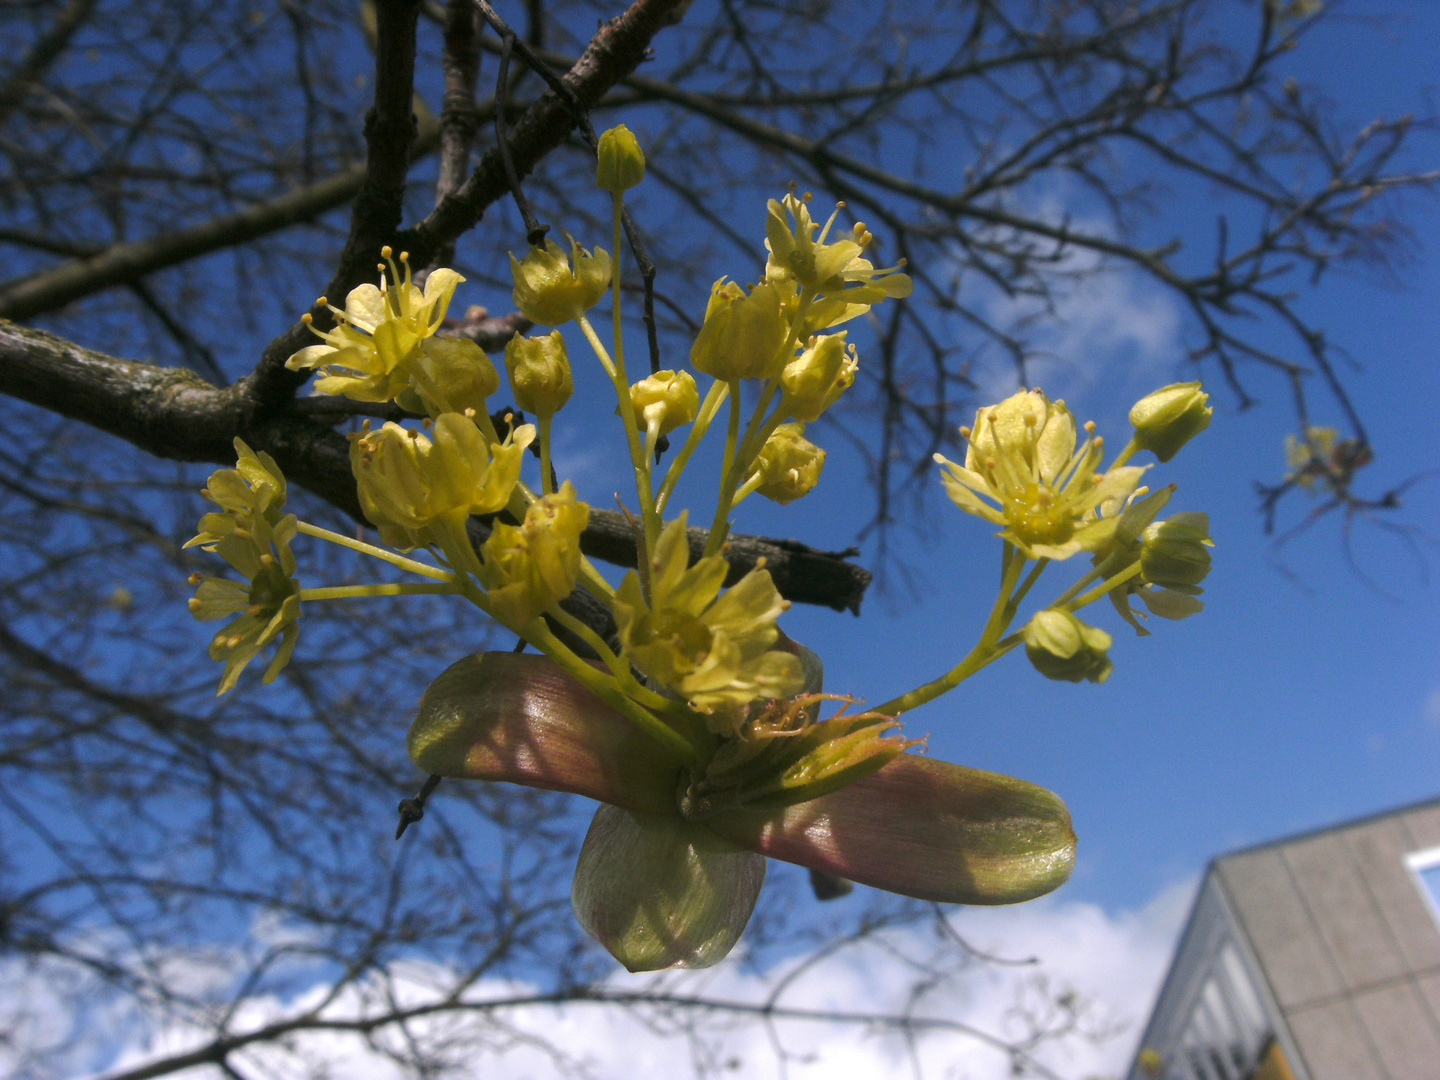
924	829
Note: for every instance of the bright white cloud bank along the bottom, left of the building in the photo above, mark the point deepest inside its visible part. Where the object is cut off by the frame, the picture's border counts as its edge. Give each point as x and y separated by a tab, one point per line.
1112	964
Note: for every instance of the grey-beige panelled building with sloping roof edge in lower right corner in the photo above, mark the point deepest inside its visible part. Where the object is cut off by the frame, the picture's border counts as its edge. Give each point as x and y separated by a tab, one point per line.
1313	958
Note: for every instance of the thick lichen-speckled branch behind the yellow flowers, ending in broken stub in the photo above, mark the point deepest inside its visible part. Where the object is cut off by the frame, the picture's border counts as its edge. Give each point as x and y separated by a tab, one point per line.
175	414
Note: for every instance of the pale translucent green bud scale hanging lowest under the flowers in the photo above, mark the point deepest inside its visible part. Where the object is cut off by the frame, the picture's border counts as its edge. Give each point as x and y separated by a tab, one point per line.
660	892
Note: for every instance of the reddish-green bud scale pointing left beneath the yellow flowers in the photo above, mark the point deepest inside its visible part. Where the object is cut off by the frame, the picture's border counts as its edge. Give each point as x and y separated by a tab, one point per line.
521	718
